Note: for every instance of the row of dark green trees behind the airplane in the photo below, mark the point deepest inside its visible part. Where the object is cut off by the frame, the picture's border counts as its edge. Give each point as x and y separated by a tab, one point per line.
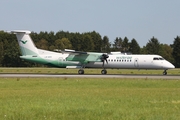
89	41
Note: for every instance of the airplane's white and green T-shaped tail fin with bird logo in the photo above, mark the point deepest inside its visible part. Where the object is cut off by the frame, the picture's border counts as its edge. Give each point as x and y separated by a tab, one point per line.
25	42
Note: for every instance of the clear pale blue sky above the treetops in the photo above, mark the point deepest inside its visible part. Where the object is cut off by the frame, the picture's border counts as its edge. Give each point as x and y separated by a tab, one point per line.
138	19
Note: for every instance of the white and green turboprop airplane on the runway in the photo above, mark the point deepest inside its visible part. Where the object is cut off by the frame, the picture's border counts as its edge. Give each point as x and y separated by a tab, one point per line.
77	59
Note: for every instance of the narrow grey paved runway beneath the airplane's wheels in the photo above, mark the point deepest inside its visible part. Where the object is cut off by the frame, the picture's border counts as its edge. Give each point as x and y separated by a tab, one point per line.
88	76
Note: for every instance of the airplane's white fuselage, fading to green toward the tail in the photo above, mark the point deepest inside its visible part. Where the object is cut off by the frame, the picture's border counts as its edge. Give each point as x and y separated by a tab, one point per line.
118	61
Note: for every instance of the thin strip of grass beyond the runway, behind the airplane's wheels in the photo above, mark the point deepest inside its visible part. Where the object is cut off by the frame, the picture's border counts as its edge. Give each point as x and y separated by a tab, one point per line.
87	71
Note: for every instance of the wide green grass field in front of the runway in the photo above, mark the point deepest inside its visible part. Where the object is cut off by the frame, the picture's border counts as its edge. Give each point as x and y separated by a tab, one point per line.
89	99
